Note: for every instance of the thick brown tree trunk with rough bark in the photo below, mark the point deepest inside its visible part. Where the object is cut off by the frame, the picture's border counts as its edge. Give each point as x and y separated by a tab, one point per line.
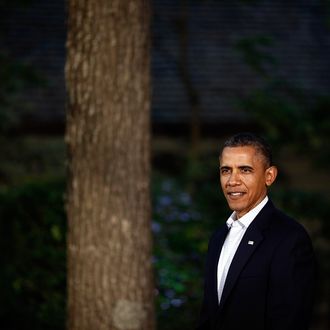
110	284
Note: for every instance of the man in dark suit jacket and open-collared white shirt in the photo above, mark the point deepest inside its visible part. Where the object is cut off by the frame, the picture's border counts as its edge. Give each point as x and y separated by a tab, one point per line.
260	267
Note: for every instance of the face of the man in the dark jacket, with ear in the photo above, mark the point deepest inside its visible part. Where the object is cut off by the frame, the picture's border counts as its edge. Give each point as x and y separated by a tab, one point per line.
244	178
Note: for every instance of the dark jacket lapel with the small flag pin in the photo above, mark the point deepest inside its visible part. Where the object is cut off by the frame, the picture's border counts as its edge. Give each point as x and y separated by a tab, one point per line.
246	249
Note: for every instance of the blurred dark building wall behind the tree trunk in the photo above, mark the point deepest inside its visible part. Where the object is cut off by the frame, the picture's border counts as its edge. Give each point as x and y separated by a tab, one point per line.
206	57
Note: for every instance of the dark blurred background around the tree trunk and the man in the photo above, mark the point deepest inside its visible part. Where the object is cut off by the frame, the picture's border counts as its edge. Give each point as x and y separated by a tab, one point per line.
218	67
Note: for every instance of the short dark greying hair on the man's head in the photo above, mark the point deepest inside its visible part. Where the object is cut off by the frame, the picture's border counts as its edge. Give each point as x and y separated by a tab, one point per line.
253	140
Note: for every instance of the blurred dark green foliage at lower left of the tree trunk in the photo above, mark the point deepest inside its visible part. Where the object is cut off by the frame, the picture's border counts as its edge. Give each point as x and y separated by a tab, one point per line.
32	279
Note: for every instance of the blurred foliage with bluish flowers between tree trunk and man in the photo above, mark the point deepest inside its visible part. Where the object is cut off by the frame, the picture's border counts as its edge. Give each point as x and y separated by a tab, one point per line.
181	230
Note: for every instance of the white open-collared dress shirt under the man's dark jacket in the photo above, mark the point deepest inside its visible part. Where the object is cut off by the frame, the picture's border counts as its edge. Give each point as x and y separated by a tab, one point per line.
237	229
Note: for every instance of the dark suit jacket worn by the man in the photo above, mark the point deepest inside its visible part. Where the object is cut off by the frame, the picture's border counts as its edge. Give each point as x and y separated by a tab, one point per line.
269	285
